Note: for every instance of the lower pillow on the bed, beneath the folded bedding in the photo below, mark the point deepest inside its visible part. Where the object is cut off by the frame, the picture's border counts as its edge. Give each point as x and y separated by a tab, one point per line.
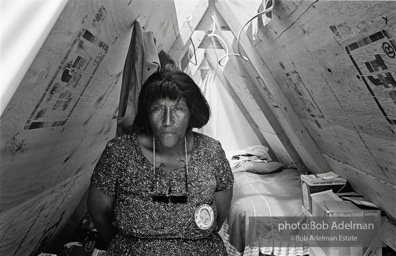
258	167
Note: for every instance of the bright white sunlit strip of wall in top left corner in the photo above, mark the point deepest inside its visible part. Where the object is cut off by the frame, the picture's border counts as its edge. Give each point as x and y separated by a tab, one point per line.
22	38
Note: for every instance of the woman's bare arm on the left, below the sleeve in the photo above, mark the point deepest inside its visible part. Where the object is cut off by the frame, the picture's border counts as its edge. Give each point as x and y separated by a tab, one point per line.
100	207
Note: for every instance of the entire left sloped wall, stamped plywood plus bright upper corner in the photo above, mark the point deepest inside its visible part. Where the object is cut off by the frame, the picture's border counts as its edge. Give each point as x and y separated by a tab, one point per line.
63	112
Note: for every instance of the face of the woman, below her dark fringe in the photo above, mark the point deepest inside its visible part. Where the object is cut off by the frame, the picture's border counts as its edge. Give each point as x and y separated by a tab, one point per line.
169	121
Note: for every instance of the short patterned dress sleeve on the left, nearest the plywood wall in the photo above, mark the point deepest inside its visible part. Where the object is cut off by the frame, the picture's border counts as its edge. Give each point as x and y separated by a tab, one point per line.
105	174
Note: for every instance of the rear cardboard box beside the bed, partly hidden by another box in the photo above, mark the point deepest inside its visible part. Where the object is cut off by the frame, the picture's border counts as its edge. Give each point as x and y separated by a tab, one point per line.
313	184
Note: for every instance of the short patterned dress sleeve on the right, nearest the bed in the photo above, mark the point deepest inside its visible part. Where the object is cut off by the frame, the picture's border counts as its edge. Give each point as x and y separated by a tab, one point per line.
224	176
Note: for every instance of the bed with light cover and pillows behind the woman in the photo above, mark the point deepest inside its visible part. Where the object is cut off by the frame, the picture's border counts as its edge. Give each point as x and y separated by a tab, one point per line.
269	192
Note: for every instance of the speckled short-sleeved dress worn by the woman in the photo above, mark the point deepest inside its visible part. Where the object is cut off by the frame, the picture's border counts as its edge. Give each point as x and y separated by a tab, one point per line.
148	227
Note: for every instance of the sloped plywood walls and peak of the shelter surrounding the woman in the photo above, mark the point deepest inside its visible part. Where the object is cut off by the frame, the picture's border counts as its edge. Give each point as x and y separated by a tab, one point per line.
313	81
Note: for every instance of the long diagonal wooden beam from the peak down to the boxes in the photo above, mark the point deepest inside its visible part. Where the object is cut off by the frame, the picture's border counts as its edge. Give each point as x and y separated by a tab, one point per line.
288	119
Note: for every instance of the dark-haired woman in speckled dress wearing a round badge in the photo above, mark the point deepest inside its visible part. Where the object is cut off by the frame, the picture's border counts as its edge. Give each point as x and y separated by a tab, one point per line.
150	188
